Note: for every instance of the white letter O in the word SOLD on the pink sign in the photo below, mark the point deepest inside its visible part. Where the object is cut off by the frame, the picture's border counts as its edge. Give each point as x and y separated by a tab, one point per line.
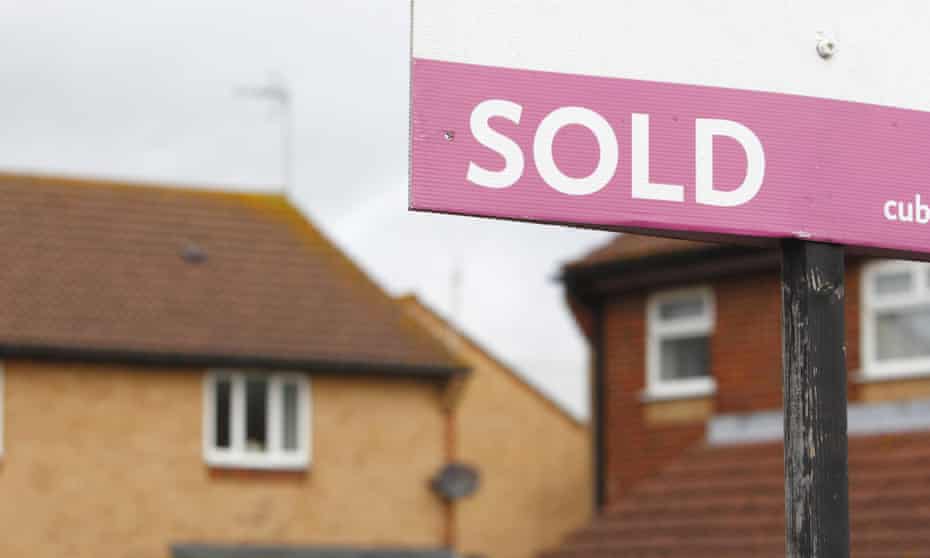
608	151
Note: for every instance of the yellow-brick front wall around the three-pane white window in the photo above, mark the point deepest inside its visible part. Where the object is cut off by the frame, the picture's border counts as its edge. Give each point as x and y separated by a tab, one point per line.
107	461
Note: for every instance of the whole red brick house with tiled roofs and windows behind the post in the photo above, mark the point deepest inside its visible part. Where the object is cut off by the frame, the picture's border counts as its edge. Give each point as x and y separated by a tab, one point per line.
686	341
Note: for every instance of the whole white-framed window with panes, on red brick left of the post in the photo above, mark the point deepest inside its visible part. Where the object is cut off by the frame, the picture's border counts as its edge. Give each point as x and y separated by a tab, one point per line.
680	324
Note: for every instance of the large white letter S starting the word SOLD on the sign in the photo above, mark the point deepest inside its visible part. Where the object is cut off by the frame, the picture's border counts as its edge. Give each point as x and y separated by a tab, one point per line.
494	140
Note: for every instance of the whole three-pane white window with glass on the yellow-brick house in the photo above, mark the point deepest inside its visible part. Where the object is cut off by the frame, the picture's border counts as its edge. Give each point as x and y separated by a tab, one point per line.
257	420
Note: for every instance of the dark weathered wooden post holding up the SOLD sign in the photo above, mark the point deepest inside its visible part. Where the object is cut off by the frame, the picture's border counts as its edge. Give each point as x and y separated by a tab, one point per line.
816	454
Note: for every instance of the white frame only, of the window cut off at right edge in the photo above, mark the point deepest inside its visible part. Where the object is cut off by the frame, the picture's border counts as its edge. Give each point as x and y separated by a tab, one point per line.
872	368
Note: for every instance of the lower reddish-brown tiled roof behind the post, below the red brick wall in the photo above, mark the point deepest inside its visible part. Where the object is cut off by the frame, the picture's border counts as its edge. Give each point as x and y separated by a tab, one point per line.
729	502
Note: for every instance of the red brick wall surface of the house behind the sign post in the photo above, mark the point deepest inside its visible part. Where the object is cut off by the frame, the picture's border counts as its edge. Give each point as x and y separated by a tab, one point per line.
641	436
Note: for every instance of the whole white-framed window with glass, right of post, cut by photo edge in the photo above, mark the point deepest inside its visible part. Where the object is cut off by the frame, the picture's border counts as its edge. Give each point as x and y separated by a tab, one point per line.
896	319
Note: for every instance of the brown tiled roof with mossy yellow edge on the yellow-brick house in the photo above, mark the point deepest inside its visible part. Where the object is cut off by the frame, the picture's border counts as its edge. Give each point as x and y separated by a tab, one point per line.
101	267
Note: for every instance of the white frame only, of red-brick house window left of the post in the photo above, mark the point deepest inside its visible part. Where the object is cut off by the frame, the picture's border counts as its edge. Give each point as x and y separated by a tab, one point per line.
658	329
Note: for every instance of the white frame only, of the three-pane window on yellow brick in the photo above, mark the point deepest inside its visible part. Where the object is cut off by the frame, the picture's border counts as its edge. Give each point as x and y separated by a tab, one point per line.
237	456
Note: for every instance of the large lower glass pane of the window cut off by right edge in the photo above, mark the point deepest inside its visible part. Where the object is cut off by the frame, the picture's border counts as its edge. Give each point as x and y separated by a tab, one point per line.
903	333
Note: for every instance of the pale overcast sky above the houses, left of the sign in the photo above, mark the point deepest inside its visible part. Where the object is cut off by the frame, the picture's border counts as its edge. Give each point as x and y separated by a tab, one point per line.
145	90
